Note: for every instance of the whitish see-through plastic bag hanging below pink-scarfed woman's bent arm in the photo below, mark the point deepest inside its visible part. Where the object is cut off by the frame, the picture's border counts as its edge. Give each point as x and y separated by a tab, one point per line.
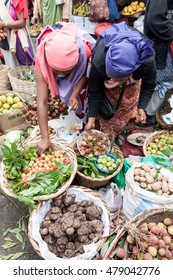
71	125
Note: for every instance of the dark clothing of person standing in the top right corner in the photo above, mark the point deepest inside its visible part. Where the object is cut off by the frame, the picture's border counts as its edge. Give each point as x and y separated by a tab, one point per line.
158	28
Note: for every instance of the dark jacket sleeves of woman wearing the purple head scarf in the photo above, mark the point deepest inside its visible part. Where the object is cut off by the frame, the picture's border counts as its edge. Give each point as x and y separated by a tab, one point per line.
146	72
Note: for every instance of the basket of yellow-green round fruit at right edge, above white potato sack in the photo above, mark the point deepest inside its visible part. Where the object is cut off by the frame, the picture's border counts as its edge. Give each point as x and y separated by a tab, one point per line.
159	143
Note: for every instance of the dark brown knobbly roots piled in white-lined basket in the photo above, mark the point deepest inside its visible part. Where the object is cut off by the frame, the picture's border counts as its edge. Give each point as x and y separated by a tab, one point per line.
69	225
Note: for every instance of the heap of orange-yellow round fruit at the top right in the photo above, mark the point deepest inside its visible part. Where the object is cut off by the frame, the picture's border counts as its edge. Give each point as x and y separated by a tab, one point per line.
135	9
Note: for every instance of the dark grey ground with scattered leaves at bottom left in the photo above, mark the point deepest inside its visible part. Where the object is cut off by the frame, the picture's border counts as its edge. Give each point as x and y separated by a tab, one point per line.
13	215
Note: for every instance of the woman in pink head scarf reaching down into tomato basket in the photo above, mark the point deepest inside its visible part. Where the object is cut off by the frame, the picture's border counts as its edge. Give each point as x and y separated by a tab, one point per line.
61	64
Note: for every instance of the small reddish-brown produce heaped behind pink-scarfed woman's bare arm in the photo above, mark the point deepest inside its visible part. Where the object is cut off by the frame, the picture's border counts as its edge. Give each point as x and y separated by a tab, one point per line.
55	108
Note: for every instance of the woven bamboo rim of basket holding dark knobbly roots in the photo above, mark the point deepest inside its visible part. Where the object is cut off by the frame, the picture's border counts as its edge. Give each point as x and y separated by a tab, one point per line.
90	193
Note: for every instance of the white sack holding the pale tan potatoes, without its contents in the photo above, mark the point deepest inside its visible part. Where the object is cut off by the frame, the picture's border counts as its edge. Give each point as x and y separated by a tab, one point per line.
136	199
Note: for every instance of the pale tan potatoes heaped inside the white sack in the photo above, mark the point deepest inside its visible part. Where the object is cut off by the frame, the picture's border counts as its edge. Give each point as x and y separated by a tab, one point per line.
151	179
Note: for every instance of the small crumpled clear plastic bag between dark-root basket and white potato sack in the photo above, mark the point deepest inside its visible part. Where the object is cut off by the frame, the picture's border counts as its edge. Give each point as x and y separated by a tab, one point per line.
112	197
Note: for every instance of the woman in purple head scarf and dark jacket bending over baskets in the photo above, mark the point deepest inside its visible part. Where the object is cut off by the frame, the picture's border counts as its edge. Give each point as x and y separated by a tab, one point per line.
122	55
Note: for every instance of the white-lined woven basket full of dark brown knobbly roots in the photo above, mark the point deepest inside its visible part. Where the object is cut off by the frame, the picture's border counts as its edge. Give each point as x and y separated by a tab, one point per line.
65	226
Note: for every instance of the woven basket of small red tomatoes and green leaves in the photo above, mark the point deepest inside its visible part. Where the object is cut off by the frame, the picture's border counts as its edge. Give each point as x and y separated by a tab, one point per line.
30	177
